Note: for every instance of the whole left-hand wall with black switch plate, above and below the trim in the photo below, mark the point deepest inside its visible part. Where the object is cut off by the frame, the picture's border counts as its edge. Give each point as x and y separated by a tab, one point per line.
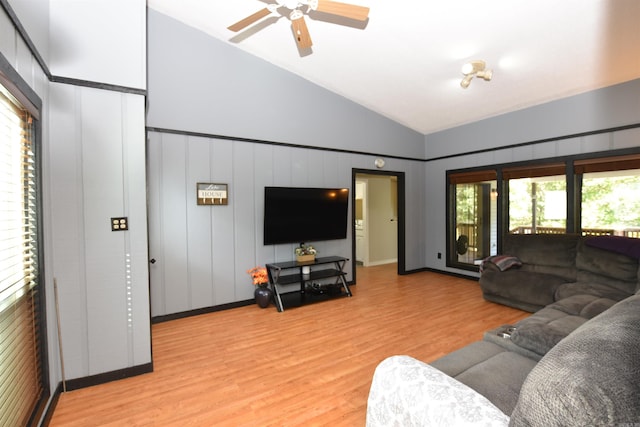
93	168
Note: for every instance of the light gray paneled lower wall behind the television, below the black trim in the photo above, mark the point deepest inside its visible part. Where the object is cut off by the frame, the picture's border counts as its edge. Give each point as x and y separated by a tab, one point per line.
202	252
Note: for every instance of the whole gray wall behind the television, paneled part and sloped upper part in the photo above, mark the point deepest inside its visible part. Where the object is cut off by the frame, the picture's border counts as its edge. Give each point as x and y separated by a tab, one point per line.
203	253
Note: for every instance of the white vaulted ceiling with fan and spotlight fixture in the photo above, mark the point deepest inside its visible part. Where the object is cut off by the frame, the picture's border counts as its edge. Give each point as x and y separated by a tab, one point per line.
405	63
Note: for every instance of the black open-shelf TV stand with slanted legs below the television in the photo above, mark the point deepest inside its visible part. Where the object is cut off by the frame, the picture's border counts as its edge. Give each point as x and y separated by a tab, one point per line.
290	272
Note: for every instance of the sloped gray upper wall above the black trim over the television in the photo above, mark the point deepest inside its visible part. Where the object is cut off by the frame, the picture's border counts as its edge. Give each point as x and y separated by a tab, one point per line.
200	84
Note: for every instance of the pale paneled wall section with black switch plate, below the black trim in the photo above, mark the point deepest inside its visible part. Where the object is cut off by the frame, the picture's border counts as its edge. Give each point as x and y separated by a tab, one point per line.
97	171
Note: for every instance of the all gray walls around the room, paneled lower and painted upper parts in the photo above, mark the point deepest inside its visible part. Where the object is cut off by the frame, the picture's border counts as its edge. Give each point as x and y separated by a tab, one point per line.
93	138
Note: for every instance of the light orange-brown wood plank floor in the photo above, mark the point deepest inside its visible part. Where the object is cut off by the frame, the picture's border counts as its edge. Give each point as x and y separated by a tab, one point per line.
305	366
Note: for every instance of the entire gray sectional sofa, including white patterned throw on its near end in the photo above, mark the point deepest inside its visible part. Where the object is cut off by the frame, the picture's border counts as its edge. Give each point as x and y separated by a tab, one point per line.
574	362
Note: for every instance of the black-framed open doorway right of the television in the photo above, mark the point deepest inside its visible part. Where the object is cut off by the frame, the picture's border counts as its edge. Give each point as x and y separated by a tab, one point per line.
378	226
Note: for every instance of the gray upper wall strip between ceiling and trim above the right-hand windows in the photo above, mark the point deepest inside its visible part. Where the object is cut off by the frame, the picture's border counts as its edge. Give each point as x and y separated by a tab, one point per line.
606	108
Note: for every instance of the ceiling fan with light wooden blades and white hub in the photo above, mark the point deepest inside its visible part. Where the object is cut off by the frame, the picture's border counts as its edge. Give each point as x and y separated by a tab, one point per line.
296	10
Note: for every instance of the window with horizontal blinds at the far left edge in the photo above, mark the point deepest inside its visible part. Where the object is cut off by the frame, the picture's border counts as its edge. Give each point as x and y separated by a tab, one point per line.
21	374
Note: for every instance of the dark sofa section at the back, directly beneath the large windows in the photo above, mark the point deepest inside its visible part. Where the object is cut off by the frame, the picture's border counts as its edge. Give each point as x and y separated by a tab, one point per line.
555	266
